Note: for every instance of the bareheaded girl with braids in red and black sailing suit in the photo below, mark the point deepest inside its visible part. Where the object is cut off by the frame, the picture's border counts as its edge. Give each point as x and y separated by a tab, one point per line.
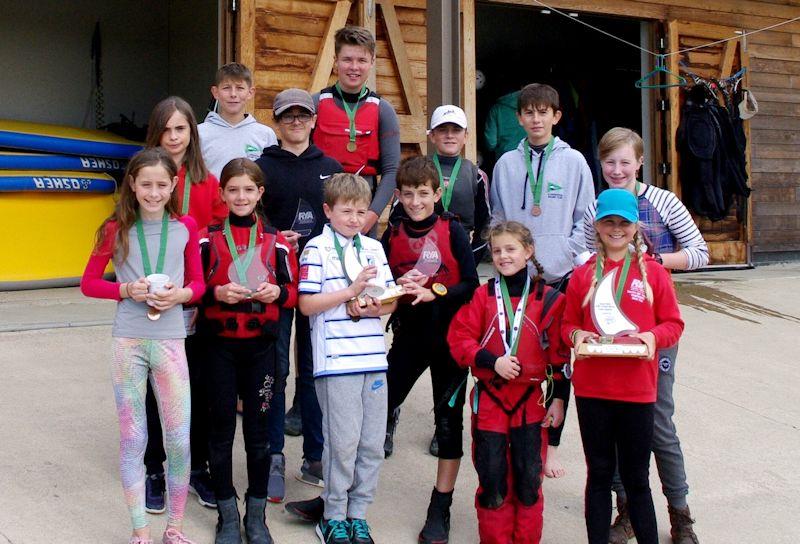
509	335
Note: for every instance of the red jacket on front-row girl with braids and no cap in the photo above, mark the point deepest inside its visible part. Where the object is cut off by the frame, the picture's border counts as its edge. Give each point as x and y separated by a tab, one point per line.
475	328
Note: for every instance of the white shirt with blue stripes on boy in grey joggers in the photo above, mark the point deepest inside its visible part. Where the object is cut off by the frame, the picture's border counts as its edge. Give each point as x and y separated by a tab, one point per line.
339	344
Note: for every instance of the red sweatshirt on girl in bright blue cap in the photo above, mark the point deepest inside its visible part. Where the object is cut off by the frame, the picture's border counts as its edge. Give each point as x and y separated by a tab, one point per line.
624	379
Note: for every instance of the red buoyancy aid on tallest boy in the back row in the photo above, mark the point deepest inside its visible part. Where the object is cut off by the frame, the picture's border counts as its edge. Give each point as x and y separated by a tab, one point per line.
332	133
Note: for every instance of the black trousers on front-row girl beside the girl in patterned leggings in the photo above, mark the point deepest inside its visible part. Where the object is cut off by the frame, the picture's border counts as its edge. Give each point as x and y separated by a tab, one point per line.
243	368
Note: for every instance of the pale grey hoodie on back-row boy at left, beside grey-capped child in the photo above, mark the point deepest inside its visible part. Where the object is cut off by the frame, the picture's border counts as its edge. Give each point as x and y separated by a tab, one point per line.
221	142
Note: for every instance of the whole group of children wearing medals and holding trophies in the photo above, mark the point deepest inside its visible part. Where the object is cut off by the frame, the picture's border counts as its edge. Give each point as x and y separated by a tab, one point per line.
230	264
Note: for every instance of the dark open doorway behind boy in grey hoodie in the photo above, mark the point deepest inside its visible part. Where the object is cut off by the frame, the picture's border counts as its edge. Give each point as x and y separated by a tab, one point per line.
593	74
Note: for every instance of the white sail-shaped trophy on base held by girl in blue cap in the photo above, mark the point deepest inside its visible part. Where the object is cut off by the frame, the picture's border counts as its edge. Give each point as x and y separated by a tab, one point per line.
612	324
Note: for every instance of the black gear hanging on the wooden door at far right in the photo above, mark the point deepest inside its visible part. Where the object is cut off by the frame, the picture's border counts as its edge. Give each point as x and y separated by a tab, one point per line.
712	164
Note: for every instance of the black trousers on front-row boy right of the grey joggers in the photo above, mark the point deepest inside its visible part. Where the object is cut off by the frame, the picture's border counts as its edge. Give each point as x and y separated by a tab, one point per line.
408	358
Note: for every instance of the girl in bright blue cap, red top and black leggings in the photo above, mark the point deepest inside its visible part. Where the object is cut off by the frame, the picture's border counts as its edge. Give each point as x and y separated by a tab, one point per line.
615	396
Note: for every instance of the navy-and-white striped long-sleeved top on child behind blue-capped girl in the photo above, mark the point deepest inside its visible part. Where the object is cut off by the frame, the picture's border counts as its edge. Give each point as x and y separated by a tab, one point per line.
665	222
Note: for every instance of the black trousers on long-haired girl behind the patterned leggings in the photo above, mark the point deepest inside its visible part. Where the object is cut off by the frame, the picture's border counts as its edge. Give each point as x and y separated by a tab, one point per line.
154	455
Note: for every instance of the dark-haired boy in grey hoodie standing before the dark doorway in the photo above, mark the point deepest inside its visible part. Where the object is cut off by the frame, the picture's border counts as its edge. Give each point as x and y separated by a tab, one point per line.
547	186
